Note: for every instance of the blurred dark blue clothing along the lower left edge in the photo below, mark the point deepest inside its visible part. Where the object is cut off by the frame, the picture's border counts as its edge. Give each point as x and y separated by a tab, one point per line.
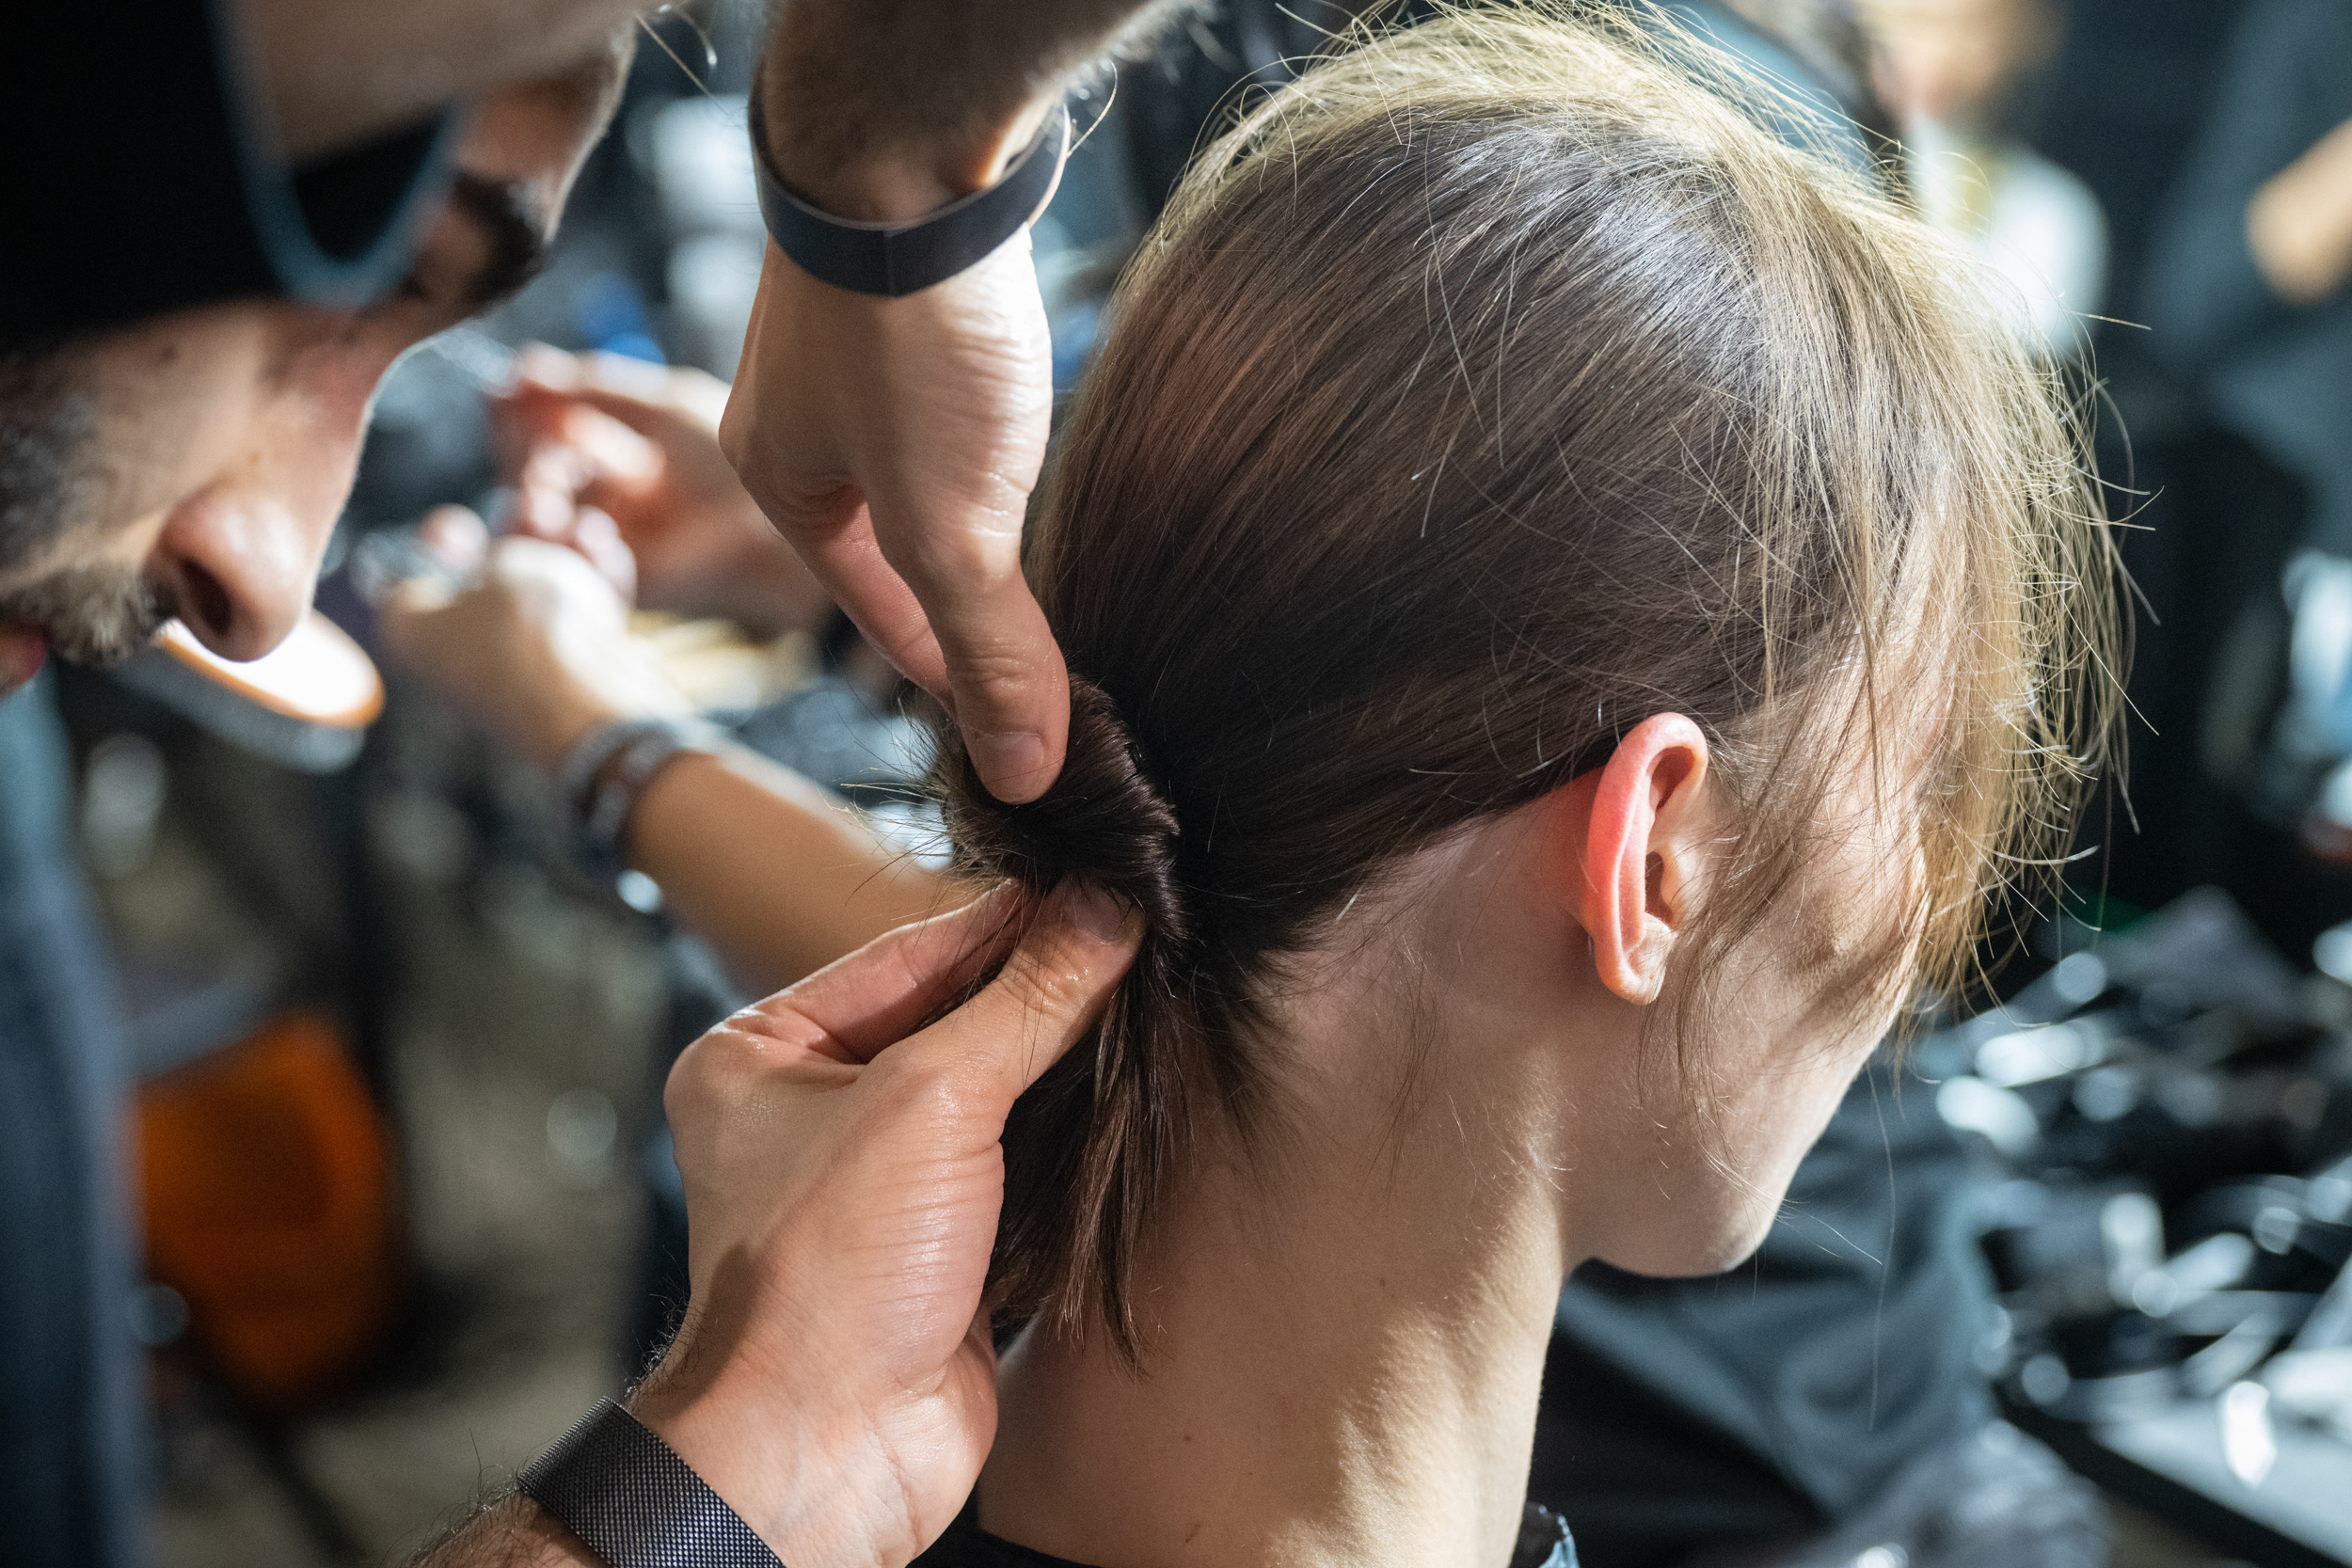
72	1438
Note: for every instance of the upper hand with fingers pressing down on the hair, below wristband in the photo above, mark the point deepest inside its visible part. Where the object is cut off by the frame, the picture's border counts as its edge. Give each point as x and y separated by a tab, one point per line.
895	443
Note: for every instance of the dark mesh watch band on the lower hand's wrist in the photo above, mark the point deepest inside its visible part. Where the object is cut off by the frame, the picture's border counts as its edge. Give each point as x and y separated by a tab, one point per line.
636	1503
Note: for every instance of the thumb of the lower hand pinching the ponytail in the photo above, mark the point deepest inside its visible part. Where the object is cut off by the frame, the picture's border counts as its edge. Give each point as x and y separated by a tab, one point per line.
1050	993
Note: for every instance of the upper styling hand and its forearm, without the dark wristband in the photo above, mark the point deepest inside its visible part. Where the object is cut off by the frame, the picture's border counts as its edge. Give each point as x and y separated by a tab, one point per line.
897	441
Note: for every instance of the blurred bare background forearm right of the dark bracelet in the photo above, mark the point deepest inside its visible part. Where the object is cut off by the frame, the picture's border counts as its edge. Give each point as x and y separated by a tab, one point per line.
773	871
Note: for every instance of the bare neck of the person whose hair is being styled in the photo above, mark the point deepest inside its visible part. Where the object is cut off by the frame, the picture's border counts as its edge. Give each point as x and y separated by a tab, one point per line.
1344	1360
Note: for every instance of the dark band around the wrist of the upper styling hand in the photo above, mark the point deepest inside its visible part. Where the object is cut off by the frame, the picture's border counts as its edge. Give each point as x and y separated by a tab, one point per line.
897	260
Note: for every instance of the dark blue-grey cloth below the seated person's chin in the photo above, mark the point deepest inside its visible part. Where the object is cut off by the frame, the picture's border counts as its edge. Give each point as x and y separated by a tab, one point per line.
1777	1400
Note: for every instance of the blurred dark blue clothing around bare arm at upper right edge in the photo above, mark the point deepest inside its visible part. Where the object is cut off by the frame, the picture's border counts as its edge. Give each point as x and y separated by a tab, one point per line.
2273	373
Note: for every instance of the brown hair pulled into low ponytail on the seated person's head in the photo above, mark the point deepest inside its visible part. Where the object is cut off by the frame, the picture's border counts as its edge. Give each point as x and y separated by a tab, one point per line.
1481	394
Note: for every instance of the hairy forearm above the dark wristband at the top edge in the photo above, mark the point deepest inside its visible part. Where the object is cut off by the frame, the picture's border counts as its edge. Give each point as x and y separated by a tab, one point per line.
888	109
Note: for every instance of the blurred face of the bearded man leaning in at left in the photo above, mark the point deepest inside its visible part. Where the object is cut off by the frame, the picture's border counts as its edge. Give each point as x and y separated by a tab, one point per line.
208	455
